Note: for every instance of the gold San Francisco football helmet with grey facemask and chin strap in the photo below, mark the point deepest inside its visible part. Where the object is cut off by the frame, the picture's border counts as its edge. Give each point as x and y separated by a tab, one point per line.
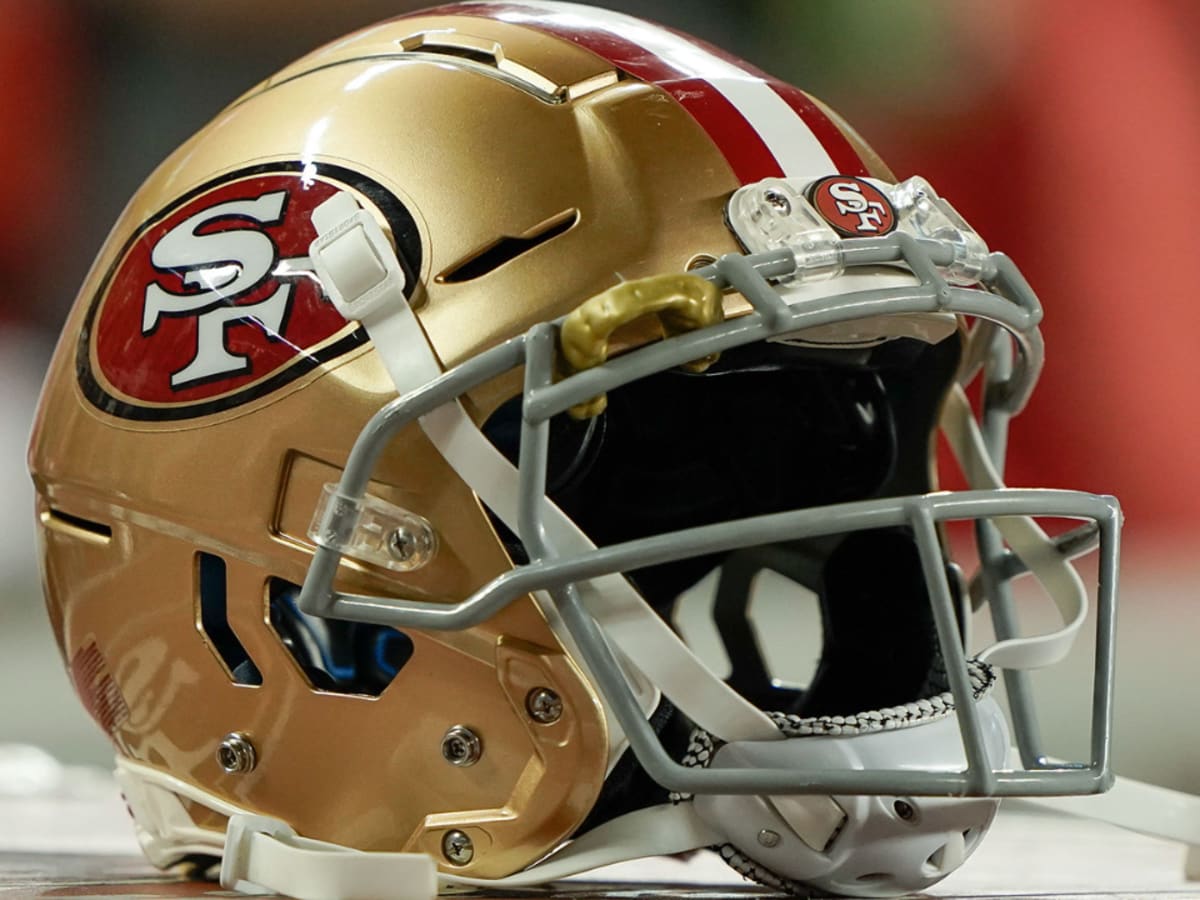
416	454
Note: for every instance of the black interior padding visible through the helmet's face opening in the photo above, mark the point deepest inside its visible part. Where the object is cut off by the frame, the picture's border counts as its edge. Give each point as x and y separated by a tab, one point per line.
772	428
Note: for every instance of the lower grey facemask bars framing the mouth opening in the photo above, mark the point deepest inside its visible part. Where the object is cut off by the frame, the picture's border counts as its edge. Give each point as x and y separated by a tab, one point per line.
561	578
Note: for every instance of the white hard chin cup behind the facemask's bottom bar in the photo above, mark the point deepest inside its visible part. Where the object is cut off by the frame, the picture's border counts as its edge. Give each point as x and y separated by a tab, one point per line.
889	845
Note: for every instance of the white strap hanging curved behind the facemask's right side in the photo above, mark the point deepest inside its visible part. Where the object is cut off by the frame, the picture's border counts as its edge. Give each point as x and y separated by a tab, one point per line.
1028	541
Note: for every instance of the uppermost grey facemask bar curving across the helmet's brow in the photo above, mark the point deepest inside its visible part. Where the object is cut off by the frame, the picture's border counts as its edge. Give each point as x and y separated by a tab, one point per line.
1010	303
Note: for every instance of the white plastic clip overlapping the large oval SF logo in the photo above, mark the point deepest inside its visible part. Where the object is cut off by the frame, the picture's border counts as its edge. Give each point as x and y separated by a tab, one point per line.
355	261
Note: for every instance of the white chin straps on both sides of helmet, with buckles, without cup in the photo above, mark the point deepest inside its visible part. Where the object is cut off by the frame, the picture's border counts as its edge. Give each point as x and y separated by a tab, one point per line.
365	283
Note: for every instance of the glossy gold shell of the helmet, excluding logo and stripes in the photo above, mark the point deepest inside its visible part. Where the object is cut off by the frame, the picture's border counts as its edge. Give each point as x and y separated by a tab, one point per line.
490	143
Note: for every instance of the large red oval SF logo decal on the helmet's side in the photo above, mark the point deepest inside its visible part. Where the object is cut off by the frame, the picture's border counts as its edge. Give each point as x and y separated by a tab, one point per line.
215	303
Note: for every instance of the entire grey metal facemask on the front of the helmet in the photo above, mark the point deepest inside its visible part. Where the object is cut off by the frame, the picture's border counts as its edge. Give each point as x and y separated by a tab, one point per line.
1011	305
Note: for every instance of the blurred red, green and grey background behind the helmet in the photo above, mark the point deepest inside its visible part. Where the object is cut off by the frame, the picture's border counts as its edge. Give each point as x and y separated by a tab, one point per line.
1067	134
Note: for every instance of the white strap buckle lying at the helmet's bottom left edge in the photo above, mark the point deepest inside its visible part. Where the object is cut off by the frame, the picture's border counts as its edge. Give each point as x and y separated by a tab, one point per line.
266	856
